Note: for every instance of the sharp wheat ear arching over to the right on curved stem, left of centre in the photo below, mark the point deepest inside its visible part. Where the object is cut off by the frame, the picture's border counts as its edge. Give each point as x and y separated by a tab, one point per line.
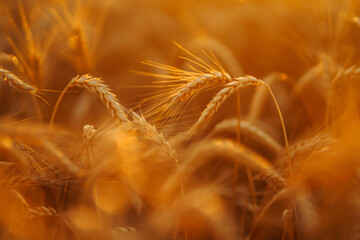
97	86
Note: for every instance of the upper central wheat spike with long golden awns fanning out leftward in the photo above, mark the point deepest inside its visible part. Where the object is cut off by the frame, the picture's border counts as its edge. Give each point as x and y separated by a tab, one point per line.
183	85
